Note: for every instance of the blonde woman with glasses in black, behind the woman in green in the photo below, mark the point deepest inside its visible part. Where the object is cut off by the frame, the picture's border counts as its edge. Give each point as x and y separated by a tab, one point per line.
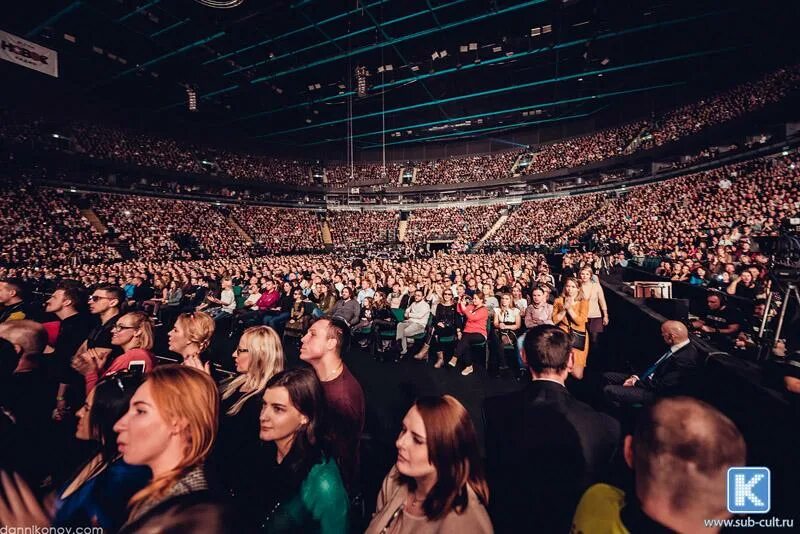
259	357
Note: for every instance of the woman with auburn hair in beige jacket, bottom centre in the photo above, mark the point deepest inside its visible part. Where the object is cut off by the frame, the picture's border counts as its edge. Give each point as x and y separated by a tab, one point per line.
437	483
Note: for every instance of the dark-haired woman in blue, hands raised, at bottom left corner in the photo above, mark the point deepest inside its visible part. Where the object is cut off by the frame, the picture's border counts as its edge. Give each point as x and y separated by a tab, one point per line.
99	492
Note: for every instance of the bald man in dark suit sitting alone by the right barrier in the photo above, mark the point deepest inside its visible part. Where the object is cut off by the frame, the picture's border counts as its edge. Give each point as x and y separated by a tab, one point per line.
670	374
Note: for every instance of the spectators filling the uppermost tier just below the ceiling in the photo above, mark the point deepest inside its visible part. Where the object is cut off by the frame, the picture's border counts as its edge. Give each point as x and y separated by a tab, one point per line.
138	148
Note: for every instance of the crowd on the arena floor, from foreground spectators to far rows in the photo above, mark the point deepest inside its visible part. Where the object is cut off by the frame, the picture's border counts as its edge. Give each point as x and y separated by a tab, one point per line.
275	446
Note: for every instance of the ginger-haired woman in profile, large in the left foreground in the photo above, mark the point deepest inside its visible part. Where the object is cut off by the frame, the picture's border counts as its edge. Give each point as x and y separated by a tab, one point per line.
170	426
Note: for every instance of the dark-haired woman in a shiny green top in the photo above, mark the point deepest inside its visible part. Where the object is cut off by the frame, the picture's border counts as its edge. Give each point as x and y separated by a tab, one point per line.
303	491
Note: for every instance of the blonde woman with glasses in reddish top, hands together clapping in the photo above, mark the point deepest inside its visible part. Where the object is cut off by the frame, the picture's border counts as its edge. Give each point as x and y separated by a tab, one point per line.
133	333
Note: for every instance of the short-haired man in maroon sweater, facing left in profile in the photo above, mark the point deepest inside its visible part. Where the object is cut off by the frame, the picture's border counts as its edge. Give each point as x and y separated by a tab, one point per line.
321	348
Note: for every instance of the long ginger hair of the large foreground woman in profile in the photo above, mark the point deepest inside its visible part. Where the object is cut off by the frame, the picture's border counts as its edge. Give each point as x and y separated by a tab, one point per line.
188	395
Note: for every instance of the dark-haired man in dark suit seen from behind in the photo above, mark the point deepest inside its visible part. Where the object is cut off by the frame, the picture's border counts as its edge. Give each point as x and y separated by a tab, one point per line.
544	447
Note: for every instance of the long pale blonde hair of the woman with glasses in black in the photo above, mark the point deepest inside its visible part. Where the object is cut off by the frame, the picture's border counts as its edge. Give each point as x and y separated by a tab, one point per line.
266	360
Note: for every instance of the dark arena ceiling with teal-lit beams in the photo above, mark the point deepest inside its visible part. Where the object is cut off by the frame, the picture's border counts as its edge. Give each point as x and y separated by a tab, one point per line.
282	73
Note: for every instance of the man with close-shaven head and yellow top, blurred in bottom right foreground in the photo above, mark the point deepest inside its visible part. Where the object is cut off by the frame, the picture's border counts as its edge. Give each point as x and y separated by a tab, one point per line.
680	455
